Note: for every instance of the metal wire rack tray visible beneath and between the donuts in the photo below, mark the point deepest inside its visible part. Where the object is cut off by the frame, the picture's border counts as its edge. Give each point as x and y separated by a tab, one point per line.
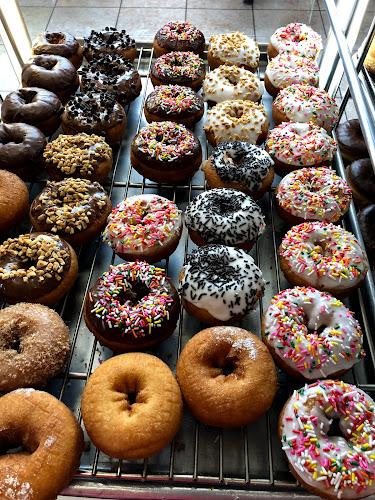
202	461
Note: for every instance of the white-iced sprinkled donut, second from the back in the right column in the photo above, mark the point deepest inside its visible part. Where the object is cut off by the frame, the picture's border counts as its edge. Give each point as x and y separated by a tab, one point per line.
287	69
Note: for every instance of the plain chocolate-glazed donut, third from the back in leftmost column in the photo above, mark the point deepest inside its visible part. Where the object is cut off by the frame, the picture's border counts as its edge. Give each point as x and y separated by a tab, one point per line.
38	107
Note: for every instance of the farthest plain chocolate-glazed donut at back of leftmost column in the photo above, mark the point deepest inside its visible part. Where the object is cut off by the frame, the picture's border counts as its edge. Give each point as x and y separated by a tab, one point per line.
58	43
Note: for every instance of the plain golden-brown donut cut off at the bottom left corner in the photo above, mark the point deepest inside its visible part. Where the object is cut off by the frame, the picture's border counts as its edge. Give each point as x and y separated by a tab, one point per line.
50	433
